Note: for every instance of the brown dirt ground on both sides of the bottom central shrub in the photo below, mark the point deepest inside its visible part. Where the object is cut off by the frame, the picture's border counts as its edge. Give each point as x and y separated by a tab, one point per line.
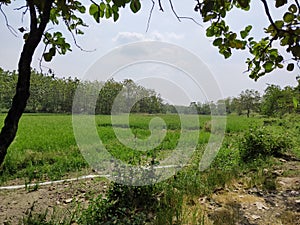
280	204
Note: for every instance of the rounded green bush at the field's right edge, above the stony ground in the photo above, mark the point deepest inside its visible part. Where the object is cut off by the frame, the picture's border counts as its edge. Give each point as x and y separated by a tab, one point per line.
263	142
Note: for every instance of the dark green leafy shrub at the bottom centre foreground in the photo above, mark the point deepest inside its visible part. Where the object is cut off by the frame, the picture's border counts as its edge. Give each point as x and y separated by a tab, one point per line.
121	205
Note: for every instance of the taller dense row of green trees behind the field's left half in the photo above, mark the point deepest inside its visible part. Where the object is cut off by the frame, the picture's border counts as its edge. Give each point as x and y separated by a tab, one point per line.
49	94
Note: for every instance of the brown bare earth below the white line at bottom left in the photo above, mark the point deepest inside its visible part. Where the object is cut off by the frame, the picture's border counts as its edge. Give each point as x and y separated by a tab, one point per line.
63	198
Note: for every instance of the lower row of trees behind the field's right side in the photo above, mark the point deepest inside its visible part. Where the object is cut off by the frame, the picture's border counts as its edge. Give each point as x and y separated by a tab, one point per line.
275	101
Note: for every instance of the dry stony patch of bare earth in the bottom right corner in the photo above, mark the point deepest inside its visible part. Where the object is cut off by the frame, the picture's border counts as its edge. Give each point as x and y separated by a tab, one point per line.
276	202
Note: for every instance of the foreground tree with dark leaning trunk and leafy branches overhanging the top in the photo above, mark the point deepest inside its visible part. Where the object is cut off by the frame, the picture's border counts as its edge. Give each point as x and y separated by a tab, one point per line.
265	59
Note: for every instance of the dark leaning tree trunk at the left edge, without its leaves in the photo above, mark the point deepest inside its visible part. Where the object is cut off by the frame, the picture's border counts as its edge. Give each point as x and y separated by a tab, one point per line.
19	102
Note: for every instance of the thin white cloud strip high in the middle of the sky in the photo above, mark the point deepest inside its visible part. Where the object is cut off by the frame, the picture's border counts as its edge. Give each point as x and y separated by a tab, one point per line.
127	37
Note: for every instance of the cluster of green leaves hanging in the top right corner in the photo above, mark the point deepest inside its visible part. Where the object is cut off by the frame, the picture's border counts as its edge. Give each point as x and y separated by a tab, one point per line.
284	31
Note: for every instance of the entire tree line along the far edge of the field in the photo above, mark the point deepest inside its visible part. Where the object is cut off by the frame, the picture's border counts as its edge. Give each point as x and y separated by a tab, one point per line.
49	94
